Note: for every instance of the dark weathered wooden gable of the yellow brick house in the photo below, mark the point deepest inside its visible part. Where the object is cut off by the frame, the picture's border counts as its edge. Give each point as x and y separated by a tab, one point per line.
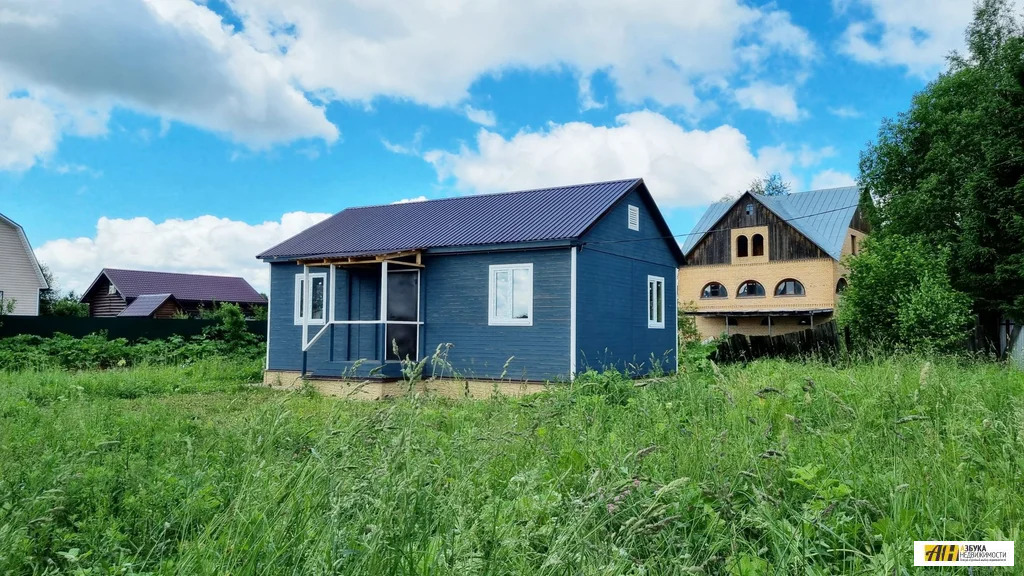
785	241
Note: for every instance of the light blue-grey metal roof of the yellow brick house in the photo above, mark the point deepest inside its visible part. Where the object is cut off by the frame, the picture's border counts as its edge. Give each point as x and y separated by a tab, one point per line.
822	216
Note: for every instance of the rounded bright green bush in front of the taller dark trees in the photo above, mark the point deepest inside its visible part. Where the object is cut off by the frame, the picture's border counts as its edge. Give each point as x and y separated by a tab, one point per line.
900	297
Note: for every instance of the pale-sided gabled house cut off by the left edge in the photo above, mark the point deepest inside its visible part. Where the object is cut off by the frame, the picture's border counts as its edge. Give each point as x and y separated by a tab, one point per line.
21	277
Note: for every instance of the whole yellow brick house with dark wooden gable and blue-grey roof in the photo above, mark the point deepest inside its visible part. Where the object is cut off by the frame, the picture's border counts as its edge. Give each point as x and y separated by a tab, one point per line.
769	266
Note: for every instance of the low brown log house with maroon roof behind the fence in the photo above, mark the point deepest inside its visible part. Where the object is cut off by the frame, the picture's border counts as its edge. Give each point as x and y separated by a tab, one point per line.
163	295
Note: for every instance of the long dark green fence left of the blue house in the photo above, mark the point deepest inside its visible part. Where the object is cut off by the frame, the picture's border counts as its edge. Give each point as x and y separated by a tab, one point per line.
129	328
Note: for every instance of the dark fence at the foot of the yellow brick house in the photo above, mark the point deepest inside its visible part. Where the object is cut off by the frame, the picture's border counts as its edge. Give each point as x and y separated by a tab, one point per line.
822	341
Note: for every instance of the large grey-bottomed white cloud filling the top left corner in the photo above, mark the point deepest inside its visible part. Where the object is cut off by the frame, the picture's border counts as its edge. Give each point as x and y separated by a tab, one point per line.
170	59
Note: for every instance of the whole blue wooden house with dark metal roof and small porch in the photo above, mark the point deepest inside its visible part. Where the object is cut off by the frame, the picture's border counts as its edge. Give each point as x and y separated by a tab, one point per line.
535	285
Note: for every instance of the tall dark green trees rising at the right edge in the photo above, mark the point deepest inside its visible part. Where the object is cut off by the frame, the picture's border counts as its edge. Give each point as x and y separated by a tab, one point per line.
951	170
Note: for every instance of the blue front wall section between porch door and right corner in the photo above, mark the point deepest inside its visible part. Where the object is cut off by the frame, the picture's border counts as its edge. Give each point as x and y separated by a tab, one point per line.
455	309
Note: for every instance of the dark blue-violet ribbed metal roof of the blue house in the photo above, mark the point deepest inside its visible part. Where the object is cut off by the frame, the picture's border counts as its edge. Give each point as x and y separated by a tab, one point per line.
546	215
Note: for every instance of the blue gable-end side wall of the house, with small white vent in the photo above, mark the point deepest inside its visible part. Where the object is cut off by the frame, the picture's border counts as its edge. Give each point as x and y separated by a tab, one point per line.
612	294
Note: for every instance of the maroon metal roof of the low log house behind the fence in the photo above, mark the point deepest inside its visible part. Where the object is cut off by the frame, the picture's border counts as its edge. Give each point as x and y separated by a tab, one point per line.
192	287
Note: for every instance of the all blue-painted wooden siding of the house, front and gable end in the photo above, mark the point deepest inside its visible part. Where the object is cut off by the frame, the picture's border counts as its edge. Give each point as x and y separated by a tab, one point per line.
612	309
